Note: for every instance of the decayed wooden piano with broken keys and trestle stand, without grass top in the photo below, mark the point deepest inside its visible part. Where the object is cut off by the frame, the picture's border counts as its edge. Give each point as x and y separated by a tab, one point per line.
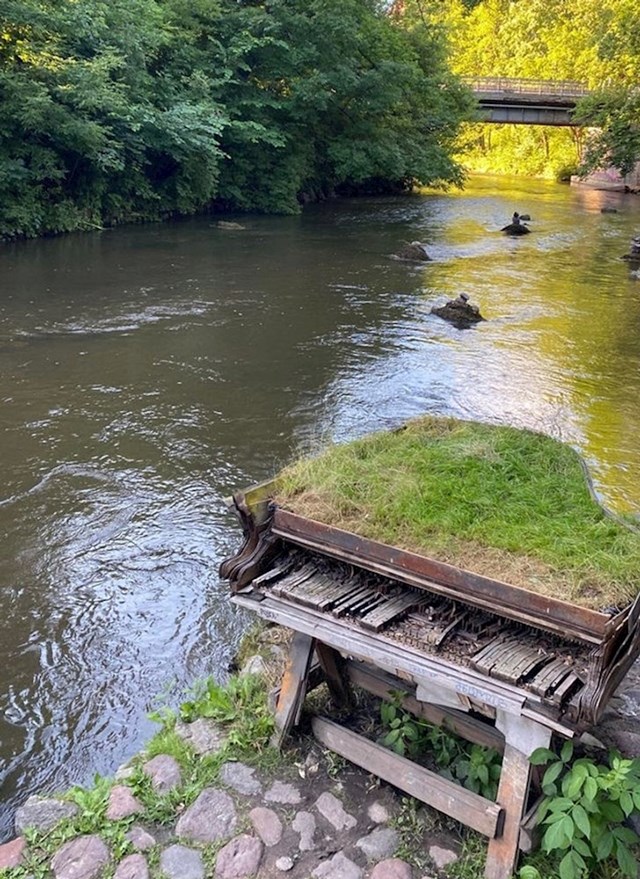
498	664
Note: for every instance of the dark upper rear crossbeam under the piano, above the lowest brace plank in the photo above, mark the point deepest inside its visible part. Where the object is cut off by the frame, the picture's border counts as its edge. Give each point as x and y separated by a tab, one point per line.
382	684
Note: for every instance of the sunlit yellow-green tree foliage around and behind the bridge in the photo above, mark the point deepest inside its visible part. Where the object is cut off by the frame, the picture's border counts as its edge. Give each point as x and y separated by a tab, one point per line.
597	44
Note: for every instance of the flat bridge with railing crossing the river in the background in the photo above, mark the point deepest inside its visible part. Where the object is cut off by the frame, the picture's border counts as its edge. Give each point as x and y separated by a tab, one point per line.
526	101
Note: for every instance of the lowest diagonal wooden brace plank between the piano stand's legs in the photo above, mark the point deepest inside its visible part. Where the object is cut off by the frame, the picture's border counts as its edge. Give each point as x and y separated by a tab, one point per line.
446	796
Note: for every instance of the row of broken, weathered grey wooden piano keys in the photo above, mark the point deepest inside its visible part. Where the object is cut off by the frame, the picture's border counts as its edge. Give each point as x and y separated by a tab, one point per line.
553	668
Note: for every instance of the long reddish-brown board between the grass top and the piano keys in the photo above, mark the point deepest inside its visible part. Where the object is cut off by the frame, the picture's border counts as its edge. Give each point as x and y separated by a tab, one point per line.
509	601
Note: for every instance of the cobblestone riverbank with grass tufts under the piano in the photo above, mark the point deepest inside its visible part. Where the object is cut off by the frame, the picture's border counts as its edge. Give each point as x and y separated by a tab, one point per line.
208	797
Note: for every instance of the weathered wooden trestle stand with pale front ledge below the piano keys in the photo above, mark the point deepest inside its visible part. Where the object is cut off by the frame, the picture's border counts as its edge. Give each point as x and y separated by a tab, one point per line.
379	666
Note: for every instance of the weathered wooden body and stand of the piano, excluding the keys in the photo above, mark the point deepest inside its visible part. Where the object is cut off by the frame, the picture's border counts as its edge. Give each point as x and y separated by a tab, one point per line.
513	720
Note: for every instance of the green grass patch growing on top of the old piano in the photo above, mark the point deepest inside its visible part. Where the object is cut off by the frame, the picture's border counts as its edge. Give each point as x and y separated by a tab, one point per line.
511	504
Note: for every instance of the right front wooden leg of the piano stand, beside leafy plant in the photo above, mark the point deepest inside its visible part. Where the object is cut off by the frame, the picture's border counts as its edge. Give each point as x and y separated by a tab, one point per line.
522	737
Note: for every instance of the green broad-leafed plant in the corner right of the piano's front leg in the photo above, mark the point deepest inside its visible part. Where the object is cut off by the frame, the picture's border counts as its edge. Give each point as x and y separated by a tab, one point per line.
584	810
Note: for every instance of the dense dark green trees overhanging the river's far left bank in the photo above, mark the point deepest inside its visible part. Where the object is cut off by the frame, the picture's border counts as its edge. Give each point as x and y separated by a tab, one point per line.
117	110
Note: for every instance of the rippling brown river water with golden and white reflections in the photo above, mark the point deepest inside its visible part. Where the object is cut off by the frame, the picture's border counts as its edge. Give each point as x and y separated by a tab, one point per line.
148	372
